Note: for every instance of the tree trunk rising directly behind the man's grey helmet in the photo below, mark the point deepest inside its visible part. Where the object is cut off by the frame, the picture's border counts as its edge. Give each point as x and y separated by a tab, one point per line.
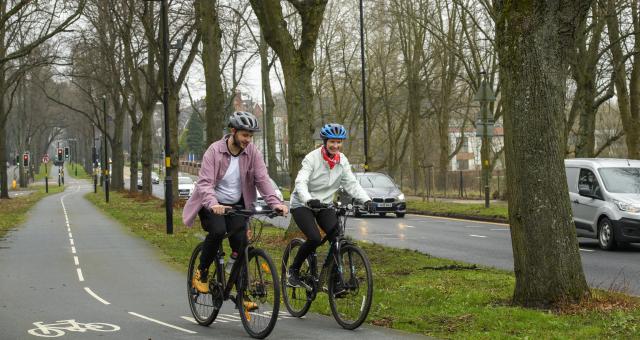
209	26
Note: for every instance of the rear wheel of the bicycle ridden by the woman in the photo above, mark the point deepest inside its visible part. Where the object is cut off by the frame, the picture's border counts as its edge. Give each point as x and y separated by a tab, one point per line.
297	299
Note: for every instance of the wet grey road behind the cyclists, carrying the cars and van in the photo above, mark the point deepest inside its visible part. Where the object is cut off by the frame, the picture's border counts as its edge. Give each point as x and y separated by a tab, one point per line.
486	244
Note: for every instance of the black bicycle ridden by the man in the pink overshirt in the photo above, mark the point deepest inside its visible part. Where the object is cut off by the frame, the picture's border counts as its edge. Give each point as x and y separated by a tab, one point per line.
253	274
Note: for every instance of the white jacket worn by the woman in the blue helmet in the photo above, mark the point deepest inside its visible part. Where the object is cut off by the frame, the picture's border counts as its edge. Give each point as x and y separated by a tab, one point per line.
316	180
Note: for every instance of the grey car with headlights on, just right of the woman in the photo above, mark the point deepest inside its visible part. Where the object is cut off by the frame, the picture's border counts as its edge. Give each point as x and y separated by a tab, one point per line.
385	194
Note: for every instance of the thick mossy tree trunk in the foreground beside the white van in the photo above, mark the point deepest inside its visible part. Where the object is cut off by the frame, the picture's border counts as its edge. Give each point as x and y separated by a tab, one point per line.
533	40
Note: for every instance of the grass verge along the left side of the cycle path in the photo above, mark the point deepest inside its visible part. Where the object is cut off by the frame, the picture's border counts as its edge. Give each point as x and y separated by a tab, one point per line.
14	210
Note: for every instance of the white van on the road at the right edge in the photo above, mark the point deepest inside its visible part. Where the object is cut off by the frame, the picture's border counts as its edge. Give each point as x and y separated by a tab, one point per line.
605	199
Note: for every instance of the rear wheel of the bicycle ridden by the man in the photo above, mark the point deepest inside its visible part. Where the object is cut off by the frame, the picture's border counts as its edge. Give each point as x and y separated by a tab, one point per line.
204	307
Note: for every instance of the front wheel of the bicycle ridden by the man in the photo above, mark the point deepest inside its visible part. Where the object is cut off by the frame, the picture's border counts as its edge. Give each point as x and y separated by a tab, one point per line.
259	295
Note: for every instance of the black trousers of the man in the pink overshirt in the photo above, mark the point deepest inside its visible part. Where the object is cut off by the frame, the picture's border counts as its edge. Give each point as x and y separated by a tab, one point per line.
217	226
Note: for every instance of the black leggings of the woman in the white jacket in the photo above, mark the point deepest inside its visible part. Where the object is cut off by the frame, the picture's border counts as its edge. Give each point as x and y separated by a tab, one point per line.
306	219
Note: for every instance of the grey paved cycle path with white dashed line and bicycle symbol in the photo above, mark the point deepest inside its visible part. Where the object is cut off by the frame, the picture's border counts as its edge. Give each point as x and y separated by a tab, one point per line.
71	264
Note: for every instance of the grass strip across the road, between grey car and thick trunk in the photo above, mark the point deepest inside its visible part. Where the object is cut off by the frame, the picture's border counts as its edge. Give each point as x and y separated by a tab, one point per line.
497	212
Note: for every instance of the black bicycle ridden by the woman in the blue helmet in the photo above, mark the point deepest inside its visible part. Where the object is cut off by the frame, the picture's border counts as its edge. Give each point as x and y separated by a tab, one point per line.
350	293
